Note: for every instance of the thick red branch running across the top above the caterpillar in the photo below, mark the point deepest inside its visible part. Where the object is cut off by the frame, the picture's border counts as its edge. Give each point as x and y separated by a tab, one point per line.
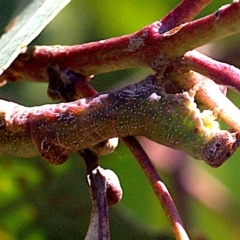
148	47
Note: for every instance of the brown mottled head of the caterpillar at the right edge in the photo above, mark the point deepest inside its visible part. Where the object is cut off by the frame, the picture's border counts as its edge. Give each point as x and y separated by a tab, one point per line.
220	148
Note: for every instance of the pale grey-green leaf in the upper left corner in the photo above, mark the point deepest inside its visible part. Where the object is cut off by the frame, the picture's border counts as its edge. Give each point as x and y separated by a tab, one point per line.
30	18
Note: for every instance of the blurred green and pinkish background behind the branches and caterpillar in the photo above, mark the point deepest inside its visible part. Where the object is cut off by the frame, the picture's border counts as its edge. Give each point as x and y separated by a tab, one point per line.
40	201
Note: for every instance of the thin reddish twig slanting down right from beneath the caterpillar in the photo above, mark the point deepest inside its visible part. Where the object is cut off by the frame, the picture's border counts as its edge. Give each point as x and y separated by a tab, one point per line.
158	187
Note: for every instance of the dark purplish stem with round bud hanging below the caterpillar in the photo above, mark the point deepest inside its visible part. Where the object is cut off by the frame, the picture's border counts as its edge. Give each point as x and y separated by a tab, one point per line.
105	191
